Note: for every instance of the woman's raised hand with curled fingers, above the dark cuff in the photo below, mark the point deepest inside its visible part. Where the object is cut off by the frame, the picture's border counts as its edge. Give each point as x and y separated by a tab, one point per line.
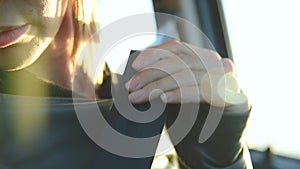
183	73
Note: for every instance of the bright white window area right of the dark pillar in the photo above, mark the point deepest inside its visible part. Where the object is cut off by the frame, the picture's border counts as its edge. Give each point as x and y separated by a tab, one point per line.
264	37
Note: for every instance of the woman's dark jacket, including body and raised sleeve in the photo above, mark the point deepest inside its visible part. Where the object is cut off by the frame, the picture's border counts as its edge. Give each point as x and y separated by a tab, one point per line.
60	142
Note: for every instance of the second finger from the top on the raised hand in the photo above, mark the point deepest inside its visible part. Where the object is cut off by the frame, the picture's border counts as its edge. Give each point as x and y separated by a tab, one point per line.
172	65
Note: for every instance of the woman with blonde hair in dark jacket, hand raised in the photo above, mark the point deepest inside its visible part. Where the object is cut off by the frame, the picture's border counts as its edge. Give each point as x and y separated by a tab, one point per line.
40	42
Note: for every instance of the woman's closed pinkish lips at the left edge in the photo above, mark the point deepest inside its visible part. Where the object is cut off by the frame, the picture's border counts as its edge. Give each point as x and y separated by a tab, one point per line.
12	35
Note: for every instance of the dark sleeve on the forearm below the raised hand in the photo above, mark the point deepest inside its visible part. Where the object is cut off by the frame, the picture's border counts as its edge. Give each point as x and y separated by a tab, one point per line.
223	150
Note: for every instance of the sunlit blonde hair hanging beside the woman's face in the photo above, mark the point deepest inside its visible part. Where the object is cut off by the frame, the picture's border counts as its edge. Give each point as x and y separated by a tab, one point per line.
87	25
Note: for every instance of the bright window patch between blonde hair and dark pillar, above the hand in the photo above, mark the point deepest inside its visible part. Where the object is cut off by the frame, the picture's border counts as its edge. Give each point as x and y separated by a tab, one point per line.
113	10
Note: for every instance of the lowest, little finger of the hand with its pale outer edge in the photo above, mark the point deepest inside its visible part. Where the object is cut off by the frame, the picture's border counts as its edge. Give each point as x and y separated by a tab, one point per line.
218	91
